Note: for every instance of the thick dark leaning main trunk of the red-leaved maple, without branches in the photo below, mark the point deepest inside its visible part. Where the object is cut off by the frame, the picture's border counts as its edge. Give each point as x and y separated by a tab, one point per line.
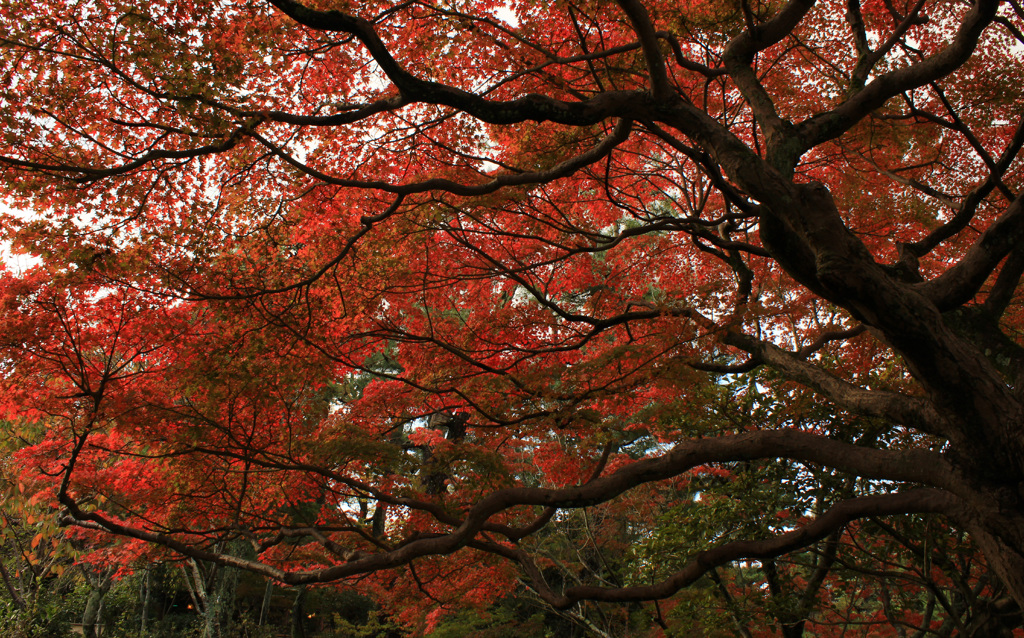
972	405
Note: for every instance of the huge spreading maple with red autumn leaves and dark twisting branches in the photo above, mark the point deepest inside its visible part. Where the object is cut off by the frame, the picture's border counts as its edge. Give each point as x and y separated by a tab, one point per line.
385	290
